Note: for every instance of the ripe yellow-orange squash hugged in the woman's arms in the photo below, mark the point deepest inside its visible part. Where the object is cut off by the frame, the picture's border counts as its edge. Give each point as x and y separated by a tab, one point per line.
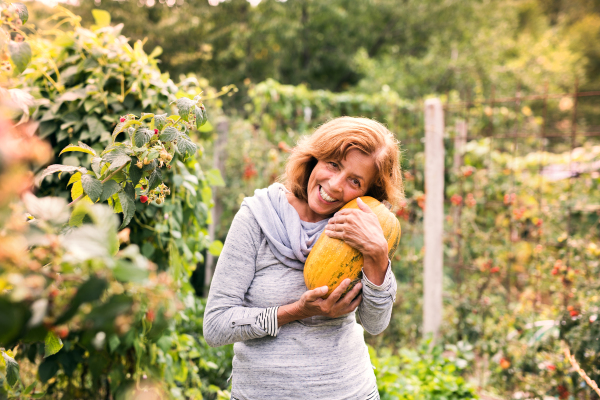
332	260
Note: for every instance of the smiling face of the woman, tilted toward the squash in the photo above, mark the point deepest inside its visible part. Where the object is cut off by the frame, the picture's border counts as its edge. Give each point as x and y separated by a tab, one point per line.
333	183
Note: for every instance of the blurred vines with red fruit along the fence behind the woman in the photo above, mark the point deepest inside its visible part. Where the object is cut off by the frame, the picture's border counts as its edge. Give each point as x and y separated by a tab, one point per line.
512	284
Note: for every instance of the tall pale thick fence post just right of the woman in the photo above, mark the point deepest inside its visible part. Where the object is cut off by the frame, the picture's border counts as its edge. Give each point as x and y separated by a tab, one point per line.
434	216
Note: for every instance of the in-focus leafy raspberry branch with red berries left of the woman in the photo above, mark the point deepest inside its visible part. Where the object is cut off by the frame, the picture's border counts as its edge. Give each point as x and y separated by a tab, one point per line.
131	169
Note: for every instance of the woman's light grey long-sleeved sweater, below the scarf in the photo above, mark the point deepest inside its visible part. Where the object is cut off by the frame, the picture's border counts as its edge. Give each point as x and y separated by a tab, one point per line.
316	358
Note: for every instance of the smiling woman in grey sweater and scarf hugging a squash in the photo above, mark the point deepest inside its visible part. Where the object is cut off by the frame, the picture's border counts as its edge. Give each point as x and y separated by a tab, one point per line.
291	343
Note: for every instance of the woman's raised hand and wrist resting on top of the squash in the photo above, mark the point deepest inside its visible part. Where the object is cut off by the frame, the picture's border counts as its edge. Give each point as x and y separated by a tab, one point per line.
361	230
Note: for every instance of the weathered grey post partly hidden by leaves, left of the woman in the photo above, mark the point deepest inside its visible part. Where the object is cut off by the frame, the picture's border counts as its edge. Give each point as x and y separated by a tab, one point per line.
219	157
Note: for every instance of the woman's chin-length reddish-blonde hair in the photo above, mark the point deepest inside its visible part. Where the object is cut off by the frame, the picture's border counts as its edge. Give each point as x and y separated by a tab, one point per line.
333	140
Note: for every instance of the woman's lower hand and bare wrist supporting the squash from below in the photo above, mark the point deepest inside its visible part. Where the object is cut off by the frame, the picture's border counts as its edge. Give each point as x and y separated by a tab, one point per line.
312	303
